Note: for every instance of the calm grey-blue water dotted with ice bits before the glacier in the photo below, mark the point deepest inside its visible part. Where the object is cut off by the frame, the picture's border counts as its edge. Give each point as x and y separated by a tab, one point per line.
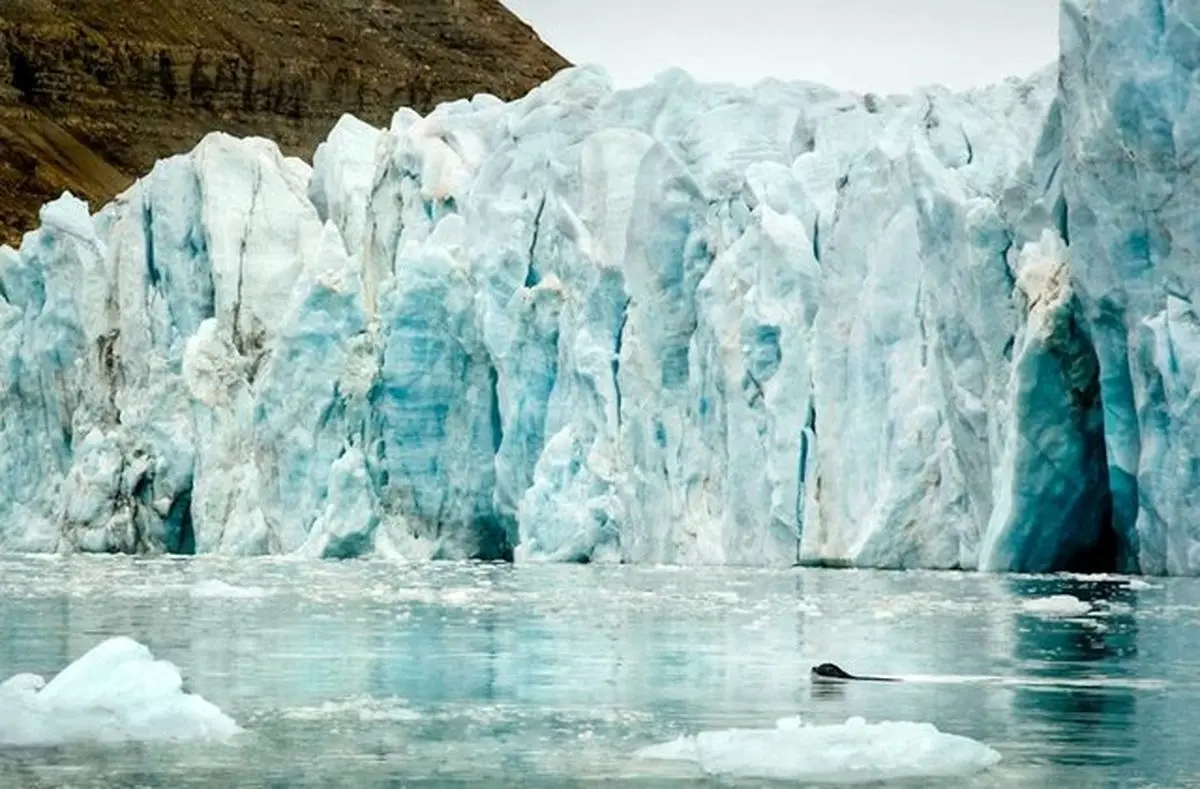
373	674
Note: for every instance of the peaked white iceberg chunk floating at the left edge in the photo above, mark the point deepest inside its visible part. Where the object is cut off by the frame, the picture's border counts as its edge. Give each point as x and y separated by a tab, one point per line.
118	692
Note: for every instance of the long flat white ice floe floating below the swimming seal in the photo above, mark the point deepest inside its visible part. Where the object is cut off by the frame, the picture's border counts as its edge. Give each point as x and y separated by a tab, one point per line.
850	754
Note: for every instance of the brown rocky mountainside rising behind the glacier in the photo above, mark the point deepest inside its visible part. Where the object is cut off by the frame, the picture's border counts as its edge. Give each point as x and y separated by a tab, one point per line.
94	92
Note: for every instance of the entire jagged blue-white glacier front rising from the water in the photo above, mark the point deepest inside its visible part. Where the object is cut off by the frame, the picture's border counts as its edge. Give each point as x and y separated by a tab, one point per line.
682	324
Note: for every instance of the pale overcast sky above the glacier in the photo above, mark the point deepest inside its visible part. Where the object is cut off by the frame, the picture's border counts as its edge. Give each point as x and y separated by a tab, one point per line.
884	46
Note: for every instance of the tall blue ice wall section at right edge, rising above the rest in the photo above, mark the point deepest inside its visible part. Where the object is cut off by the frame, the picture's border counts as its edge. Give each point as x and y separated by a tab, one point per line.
1131	143
